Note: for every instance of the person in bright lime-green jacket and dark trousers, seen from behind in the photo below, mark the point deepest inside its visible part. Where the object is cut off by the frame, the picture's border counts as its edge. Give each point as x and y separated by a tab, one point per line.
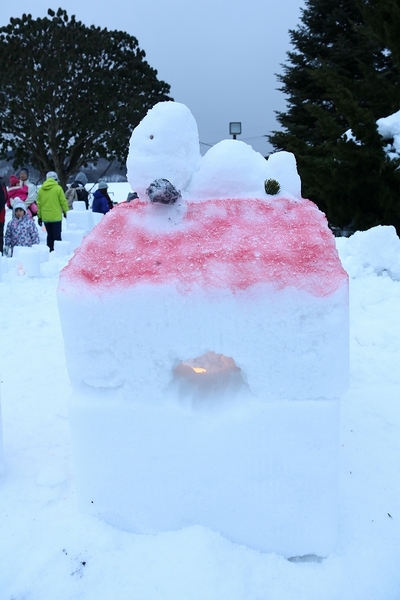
52	205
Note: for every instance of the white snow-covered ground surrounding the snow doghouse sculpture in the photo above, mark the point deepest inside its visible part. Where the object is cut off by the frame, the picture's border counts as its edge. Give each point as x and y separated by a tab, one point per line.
49	550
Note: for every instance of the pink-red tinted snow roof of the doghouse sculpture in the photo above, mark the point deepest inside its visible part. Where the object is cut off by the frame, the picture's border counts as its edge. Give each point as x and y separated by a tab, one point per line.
219	244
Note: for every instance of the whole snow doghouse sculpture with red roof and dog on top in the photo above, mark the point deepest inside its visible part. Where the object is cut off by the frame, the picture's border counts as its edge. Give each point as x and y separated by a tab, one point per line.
207	345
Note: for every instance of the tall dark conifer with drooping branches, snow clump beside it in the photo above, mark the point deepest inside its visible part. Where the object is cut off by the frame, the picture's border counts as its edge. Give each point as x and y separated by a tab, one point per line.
339	80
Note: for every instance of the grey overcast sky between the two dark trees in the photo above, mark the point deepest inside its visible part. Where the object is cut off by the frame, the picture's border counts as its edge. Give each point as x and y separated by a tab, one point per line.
219	56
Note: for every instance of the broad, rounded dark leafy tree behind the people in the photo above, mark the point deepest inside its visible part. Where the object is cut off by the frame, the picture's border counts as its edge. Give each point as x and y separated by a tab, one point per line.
71	94
